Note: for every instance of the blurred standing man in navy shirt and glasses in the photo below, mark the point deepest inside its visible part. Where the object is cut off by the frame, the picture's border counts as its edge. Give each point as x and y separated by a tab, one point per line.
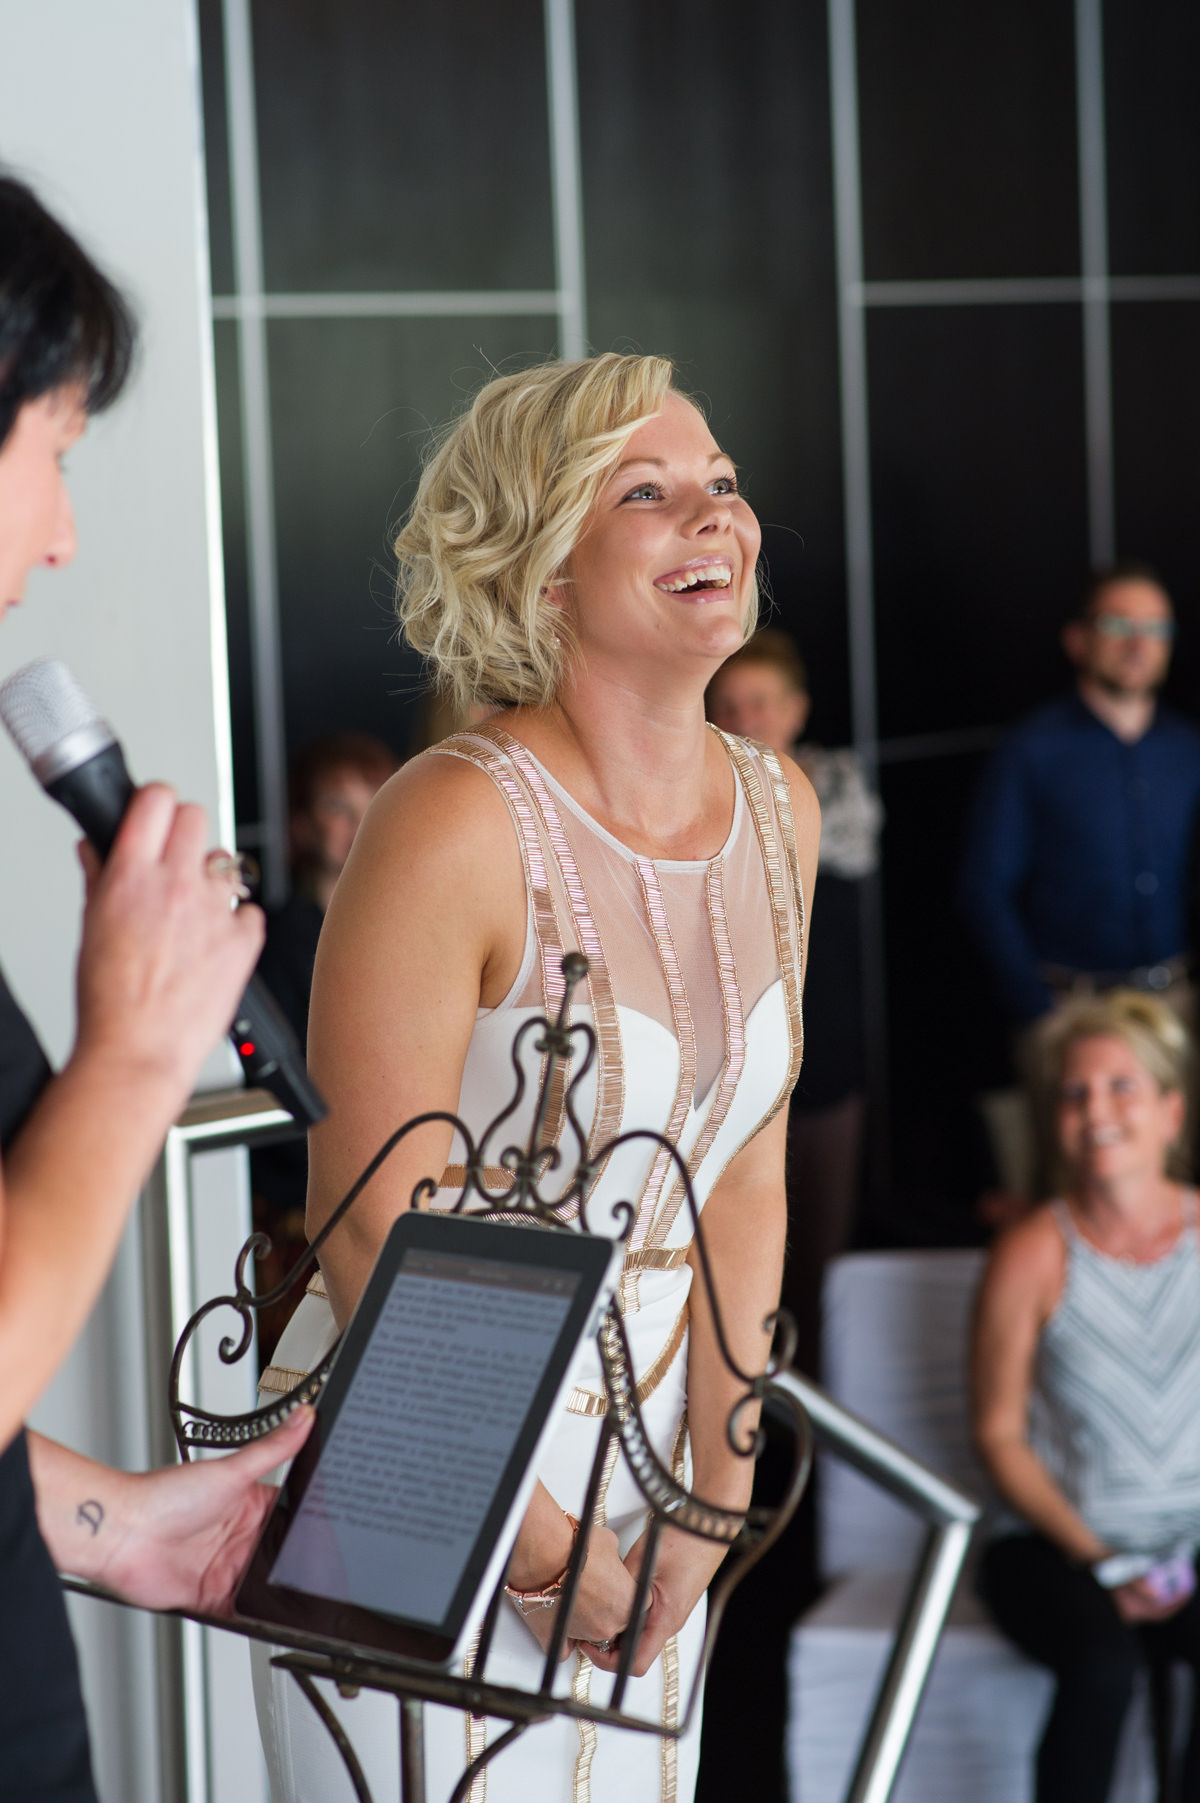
1080	845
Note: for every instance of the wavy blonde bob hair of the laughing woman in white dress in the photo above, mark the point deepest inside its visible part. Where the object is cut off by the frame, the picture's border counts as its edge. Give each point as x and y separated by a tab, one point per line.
500	508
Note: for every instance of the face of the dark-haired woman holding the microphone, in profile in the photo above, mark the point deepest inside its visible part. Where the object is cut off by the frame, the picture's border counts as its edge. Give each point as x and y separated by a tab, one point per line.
37	524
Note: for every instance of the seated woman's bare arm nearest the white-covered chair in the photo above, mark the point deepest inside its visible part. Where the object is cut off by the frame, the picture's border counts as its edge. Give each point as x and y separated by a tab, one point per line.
1019	1294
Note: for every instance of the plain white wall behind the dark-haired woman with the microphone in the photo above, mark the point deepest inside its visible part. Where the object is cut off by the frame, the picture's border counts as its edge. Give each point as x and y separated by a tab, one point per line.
100	111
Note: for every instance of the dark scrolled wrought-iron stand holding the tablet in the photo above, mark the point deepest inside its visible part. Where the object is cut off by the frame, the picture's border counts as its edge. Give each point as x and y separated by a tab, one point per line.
747	1533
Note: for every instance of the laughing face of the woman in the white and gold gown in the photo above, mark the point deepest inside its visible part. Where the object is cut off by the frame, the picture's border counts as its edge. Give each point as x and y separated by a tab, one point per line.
668	562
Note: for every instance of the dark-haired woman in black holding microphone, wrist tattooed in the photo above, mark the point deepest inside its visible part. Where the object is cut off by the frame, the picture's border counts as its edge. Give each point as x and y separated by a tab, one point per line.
161	967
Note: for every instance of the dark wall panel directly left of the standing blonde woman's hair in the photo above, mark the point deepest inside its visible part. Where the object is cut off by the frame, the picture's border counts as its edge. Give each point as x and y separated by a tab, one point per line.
352	410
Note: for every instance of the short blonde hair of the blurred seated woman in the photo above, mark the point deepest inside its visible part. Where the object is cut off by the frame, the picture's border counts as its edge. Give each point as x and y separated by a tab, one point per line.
1154	1034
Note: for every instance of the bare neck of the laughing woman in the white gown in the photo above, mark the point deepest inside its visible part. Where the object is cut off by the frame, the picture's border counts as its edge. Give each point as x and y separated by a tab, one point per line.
646	767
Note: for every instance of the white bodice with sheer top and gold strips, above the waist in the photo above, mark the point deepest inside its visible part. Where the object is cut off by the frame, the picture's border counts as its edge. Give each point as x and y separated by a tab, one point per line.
693	991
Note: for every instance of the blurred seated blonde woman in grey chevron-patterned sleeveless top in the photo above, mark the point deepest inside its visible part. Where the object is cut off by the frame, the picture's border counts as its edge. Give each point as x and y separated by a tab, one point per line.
1087	1391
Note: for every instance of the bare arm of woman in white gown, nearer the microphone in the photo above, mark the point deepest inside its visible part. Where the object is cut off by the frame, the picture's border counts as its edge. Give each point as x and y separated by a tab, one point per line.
426	926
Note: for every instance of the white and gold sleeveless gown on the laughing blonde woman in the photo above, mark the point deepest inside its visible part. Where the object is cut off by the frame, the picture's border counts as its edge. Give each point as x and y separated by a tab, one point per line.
695	996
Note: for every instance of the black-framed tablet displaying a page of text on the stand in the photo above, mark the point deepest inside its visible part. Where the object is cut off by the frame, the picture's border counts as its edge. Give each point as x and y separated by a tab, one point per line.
406	1494
